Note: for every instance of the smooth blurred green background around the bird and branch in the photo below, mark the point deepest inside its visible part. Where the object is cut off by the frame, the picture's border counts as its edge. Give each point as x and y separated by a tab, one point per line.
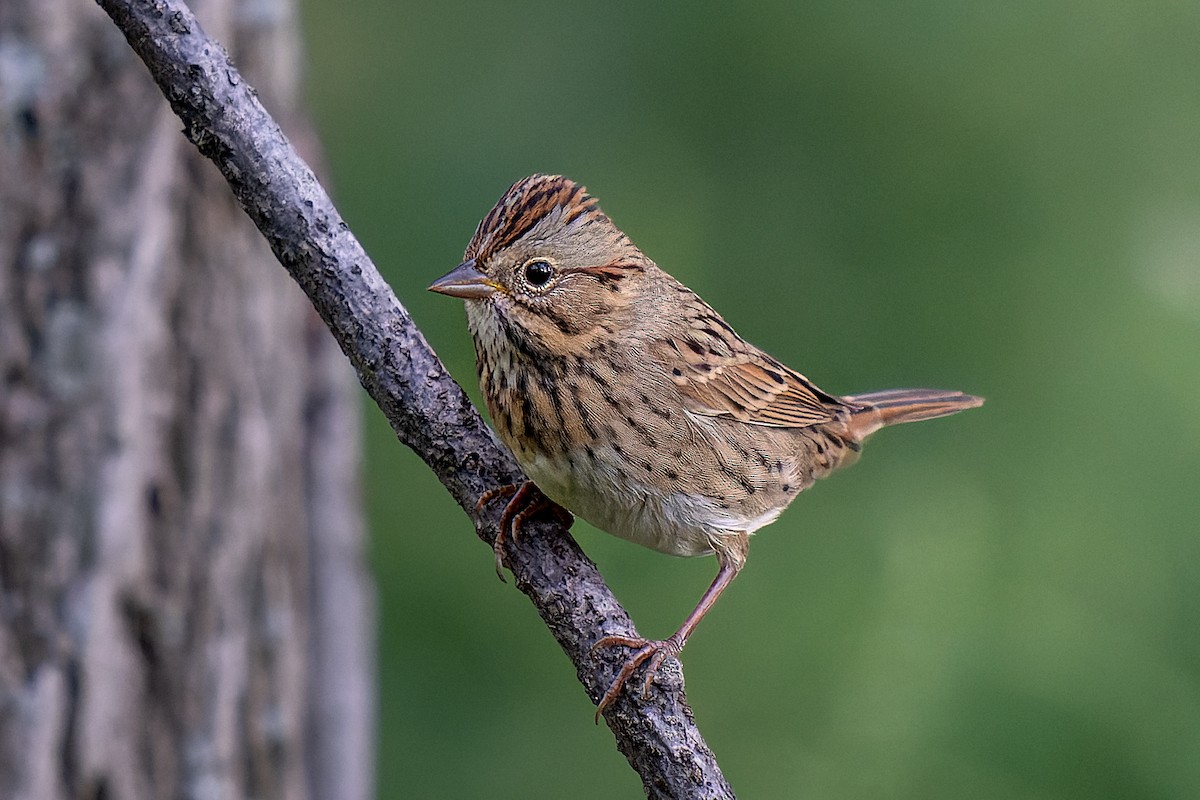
1003	199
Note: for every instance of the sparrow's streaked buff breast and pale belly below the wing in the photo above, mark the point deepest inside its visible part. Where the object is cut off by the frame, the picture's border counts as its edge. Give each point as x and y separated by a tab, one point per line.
603	440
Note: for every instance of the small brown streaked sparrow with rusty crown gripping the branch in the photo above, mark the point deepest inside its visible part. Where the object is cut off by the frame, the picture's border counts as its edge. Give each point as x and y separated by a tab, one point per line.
631	402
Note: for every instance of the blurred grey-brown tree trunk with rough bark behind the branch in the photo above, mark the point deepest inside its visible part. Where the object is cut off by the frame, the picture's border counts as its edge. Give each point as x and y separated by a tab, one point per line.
184	611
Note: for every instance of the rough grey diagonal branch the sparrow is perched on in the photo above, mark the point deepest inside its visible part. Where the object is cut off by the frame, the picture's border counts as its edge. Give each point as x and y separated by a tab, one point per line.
428	411
